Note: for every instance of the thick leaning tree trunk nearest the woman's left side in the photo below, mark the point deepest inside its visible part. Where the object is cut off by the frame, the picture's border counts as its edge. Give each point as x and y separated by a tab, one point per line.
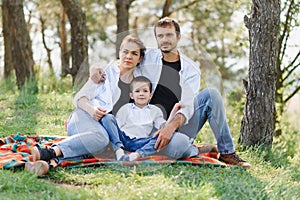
79	43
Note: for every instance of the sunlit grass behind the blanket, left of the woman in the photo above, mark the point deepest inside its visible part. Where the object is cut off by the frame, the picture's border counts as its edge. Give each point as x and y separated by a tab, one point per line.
35	113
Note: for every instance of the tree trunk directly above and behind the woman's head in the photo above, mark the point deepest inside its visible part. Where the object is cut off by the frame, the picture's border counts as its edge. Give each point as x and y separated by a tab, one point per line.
122	7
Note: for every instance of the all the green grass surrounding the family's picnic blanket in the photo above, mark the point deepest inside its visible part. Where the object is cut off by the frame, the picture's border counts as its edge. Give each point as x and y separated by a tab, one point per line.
275	173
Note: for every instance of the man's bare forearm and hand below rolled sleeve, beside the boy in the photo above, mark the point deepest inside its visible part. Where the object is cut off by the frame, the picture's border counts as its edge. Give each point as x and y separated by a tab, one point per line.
165	134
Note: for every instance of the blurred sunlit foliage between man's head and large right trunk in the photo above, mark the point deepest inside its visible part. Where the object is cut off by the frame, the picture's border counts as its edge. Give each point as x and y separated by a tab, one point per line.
216	27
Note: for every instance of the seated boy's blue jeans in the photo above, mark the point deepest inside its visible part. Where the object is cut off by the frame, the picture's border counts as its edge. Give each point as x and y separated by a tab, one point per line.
118	138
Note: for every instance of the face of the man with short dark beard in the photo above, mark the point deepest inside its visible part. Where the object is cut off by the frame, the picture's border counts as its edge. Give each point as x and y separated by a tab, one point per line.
166	38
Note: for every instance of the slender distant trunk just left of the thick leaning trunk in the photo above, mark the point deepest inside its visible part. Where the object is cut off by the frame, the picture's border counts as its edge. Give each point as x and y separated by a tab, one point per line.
65	56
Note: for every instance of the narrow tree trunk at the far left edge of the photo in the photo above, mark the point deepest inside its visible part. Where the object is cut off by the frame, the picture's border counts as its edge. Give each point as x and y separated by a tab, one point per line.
8	62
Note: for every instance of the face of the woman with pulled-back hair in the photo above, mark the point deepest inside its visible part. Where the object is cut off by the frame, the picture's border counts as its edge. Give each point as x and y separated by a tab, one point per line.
129	55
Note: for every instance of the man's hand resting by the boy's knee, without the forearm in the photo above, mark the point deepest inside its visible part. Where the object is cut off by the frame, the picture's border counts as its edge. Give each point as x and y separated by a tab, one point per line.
164	136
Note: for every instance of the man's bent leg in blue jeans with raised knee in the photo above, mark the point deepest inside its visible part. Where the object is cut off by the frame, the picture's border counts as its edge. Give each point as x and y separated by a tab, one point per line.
208	105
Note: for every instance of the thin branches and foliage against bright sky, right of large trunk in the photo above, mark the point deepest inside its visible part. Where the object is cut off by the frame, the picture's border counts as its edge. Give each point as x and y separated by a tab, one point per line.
288	75
